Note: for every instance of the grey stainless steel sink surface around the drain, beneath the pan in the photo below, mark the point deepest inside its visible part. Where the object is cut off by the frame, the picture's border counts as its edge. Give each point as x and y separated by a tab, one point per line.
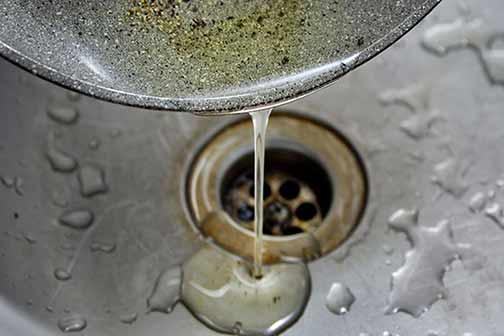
144	156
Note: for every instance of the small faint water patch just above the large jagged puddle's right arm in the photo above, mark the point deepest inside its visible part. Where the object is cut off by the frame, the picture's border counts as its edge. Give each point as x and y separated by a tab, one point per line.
450	176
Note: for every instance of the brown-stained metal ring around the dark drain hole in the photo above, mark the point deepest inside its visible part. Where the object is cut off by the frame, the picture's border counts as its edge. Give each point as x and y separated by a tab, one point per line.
290	132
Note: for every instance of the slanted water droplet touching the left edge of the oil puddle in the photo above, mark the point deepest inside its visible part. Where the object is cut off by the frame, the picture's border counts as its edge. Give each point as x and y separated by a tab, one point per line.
166	292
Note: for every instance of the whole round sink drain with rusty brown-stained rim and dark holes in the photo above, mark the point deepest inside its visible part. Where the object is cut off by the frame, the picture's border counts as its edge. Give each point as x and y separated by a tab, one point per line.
314	194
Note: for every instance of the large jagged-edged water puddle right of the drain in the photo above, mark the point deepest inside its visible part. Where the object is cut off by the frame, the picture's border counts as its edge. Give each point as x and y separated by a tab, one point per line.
418	283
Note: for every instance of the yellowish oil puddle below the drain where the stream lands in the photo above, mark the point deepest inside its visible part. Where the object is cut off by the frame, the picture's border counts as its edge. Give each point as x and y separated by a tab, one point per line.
220	290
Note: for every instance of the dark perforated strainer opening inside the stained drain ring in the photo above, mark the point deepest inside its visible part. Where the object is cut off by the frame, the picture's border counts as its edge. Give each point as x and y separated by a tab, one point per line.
297	192
